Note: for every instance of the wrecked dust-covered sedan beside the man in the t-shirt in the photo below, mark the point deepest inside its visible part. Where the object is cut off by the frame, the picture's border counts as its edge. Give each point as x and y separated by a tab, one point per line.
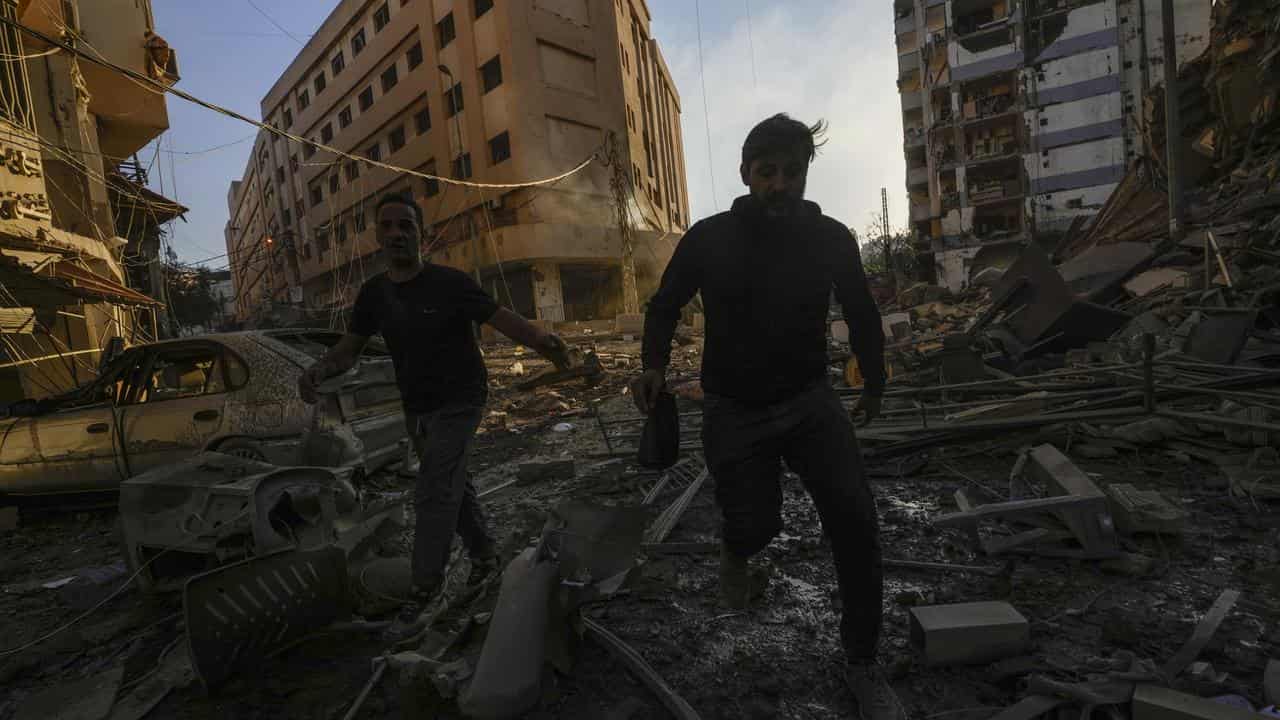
231	393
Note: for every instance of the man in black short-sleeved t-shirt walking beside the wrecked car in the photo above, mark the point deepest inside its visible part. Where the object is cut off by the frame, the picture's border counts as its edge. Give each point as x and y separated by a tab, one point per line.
427	316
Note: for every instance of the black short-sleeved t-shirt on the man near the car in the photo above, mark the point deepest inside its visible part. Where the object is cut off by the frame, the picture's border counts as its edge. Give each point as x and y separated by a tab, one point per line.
428	326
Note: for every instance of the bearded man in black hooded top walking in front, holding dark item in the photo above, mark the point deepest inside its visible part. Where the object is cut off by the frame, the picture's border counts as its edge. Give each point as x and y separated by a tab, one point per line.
766	271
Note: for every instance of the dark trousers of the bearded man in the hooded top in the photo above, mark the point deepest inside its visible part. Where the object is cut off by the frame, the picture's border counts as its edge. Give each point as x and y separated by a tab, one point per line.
746	446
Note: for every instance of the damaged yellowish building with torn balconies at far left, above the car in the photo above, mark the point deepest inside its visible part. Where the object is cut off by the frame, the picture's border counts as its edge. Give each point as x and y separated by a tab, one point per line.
77	224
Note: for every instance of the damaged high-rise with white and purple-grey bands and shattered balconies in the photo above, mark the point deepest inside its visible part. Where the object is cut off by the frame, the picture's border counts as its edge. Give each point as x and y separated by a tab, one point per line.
1022	116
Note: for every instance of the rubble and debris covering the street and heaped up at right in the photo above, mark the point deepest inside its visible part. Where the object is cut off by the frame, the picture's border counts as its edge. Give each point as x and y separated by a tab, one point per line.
1076	470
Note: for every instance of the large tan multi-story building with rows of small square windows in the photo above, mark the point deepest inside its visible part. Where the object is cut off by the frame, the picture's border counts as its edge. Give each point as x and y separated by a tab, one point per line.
476	90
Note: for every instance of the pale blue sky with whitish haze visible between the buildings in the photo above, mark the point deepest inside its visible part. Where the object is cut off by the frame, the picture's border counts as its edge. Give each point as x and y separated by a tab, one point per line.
833	60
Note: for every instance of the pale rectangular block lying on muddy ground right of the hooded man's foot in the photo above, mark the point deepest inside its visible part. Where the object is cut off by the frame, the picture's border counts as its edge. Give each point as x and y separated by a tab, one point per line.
968	632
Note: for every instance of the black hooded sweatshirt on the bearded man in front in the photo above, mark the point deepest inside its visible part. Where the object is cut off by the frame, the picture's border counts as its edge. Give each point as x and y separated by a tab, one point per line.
766	285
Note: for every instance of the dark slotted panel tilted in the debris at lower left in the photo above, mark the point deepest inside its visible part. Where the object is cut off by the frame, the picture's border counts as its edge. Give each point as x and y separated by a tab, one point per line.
240	614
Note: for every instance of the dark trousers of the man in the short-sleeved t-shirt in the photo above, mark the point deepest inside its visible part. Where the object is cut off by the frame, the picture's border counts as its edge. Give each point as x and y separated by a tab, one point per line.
446	499
